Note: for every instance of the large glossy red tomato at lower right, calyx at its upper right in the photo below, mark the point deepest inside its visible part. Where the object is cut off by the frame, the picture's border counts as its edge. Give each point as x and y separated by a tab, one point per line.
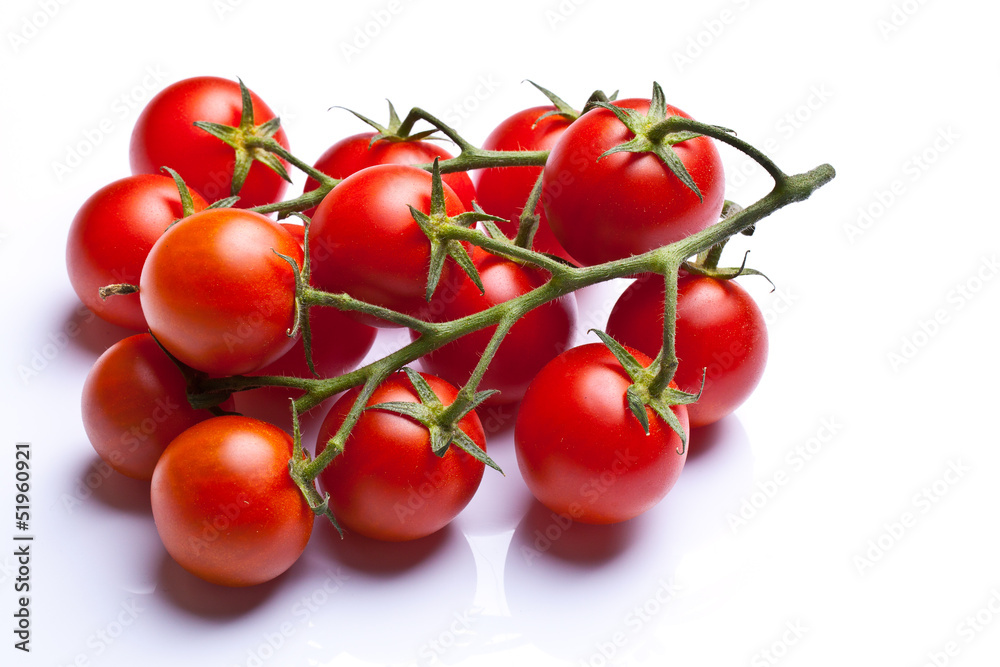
582	452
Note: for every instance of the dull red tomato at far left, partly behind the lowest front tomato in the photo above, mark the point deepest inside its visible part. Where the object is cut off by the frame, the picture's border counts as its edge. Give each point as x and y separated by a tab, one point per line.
134	404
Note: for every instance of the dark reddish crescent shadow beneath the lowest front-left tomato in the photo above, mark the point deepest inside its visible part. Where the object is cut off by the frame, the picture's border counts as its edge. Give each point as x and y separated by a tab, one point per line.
210	601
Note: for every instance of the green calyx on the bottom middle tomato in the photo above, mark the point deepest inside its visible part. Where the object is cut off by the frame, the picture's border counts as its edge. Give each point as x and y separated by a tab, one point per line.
441	423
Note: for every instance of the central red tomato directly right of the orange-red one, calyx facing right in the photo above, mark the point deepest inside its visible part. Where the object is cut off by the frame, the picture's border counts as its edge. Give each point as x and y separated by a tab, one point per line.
364	241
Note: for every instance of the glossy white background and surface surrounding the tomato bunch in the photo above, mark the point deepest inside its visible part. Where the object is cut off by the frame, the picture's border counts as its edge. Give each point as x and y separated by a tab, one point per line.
879	546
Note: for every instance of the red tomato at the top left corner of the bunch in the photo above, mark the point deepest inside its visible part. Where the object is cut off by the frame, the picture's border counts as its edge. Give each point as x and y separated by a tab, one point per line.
164	136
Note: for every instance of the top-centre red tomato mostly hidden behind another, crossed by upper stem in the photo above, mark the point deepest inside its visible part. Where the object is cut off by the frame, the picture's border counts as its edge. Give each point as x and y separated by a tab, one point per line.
356	152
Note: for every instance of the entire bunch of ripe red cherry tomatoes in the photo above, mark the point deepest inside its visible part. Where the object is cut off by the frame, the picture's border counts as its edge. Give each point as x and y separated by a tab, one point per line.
225	298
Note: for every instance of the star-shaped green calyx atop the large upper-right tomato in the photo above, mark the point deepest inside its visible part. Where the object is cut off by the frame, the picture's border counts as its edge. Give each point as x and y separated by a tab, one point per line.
653	134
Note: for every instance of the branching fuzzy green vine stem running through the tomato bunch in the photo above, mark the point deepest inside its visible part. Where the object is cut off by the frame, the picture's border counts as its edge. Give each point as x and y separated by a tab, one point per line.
564	279
